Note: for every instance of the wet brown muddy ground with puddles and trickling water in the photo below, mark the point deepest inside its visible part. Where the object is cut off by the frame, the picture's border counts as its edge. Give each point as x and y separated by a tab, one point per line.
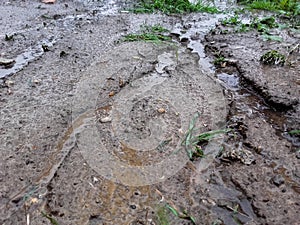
72	82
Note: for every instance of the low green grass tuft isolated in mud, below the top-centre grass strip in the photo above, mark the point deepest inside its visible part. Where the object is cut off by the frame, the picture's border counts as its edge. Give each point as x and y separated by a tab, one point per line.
155	33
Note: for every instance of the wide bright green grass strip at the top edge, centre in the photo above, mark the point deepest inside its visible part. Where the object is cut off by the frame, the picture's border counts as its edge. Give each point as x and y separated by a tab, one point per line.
173	6
